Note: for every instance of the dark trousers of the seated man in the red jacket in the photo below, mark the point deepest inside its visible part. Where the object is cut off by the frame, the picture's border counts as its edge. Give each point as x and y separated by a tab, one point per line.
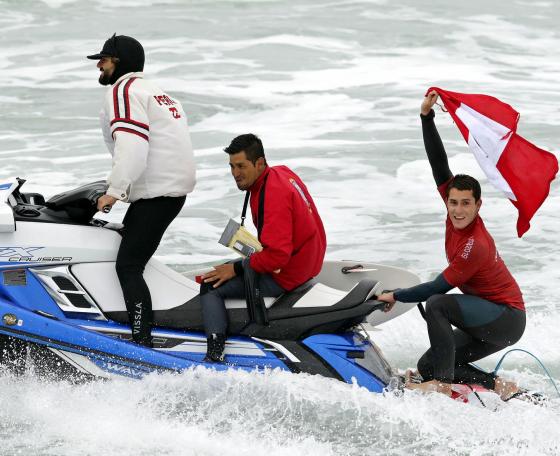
212	300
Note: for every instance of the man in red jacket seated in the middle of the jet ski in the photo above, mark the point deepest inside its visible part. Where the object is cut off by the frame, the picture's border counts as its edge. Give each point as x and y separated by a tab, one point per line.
289	229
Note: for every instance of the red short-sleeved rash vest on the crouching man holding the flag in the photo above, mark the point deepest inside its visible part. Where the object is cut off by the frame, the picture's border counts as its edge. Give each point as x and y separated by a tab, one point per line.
475	267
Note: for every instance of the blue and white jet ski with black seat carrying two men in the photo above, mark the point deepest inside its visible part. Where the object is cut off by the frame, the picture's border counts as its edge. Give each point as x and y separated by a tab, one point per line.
62	313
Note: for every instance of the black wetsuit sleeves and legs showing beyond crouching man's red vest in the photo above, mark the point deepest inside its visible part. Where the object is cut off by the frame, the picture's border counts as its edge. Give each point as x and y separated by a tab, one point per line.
482	327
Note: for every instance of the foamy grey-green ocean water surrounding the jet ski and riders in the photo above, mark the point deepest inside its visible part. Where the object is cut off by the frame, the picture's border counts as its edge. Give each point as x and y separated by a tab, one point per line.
333	88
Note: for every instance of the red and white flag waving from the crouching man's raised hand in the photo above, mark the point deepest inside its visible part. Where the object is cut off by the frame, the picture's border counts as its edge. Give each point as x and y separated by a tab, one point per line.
515	166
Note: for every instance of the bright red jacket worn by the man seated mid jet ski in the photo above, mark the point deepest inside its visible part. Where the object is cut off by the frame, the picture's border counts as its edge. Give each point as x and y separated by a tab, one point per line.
293	237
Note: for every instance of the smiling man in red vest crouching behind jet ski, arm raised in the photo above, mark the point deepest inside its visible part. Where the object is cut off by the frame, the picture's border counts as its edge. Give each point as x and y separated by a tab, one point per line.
490	315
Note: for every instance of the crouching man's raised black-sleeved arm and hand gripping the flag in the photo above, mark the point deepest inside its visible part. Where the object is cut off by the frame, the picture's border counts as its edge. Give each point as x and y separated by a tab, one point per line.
432	142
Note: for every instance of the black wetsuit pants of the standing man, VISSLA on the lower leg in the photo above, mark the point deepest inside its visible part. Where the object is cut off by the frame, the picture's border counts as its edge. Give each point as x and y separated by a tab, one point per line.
144	224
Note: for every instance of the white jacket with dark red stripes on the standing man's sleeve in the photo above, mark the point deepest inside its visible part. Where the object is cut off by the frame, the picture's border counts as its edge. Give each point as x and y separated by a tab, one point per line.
147	133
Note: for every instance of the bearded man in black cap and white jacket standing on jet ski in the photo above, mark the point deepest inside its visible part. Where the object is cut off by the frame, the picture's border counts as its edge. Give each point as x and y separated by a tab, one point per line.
153	168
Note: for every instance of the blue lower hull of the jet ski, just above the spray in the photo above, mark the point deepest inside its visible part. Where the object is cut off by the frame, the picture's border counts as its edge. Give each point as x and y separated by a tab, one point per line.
85	351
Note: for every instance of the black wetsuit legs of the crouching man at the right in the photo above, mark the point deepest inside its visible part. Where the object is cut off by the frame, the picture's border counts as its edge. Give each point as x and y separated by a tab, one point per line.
481	328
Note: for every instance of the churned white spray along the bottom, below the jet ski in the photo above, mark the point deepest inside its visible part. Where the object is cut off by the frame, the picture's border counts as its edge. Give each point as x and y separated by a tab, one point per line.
201	412
